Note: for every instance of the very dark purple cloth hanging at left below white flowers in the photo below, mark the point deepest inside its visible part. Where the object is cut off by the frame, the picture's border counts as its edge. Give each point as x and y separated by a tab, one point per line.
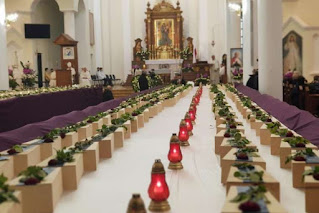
17	112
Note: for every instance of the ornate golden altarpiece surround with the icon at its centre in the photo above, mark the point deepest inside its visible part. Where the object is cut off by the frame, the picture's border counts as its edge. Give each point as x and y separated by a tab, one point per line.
164	31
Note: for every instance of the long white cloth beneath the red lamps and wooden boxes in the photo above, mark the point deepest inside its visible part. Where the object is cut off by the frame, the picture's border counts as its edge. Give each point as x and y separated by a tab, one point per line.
196	188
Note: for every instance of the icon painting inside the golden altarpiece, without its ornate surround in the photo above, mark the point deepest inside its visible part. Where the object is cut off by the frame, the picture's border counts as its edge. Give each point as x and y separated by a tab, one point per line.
164	32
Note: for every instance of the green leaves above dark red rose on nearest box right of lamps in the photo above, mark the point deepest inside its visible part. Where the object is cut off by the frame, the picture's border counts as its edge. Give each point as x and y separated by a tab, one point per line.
255	193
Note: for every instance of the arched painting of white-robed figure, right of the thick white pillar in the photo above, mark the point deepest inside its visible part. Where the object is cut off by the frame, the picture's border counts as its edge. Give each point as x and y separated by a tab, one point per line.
292	52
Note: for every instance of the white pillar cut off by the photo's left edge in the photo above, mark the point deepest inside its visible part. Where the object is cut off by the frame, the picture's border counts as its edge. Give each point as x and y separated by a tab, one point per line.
4	78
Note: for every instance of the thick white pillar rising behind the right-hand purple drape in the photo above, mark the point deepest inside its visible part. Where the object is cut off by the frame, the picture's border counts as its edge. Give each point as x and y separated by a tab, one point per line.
270	47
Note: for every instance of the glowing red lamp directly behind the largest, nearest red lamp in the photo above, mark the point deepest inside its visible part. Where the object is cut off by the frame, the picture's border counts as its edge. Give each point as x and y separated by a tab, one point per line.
175	154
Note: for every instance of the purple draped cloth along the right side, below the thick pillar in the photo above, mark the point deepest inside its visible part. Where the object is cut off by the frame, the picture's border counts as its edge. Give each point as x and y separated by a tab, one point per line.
298	120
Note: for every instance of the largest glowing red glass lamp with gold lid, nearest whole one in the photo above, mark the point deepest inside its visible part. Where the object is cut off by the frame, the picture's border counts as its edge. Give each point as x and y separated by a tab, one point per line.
158	190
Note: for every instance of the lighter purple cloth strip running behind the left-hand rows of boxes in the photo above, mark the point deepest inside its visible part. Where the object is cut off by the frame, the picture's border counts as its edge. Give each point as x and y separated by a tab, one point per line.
34	130
